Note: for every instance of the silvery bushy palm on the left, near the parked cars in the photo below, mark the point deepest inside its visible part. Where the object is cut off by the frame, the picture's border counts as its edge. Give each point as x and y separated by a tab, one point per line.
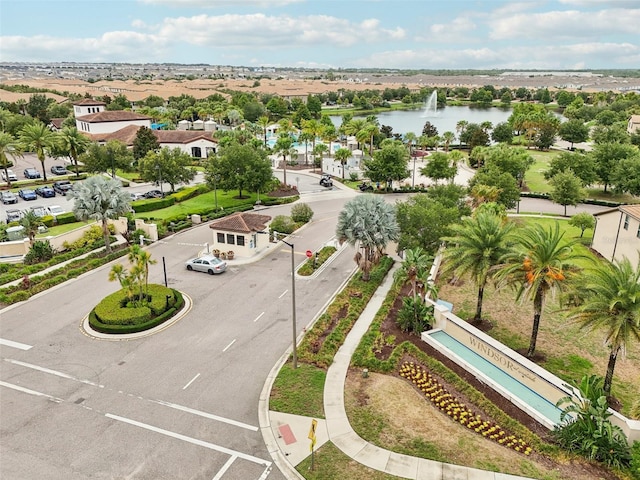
100	198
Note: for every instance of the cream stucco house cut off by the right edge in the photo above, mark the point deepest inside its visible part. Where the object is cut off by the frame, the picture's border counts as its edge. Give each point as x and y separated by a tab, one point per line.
617	233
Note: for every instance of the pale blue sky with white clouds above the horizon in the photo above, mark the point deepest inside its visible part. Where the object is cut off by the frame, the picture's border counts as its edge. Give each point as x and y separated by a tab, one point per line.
394	34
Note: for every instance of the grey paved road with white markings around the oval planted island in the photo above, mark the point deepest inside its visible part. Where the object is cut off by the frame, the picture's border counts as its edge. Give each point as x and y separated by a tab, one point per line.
178	404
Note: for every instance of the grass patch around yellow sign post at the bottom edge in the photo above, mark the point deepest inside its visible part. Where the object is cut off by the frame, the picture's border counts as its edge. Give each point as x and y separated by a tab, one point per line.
330	463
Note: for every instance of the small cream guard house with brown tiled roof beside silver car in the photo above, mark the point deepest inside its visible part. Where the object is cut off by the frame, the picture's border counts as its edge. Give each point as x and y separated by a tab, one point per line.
243	233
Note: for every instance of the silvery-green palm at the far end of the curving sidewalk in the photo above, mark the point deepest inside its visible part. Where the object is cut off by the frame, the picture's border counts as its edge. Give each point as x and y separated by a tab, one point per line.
367	222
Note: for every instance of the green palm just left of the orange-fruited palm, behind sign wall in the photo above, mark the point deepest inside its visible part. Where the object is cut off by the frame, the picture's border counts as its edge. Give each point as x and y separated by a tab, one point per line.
474	248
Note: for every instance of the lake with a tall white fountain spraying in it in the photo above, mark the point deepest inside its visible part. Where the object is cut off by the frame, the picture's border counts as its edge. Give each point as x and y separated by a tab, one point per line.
445	119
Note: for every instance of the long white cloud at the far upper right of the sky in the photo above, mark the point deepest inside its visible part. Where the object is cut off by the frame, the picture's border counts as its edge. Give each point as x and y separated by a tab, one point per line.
565	24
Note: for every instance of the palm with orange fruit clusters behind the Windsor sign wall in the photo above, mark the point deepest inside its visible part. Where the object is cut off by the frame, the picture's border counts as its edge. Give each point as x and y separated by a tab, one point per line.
539	264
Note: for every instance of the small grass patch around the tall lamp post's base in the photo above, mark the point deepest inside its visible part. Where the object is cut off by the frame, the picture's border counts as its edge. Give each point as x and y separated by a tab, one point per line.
300	391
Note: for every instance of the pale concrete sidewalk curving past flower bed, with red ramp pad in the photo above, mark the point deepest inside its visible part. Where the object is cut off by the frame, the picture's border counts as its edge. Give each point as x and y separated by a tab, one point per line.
286	435
